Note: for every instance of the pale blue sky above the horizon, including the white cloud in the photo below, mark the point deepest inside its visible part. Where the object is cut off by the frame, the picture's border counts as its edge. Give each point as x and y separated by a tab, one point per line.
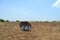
30	10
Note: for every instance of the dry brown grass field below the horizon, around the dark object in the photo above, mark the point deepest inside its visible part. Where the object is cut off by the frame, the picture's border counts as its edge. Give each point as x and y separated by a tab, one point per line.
39	31
